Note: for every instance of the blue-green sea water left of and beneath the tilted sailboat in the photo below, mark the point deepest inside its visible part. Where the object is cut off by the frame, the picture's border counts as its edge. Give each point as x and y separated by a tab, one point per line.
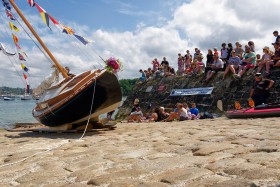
20	111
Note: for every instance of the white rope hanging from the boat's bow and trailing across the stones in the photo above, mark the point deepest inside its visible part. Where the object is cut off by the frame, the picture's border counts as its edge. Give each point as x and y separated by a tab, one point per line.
63	142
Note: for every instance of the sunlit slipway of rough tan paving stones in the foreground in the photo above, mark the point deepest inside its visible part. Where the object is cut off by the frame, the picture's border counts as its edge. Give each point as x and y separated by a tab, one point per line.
219	152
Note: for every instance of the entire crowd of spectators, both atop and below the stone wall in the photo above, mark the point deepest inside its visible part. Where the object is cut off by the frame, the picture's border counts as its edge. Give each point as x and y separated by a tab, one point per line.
235	60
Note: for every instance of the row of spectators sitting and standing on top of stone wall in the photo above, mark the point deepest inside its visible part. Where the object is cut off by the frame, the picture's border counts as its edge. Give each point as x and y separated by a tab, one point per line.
236	60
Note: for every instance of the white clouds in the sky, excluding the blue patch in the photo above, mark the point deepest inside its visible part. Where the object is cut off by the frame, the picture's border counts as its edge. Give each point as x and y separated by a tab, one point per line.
199	23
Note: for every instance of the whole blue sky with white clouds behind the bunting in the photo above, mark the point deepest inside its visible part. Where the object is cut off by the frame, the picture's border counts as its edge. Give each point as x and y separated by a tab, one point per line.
133	31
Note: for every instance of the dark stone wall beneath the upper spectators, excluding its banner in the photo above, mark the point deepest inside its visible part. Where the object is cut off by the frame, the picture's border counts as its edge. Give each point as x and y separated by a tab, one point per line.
229	91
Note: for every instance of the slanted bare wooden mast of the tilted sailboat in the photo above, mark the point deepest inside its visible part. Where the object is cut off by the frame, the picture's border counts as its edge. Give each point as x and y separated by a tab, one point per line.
60	68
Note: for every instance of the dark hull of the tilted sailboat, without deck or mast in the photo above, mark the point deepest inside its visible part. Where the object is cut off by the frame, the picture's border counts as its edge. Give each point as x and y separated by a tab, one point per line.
105	93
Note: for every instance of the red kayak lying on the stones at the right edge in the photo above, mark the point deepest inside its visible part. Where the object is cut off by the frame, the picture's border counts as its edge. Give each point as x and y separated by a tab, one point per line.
265	110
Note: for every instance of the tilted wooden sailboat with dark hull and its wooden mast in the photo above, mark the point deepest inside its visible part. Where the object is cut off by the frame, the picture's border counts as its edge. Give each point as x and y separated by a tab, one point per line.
75	99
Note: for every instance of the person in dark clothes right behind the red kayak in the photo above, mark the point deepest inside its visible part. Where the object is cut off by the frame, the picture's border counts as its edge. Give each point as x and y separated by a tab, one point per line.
259	92
